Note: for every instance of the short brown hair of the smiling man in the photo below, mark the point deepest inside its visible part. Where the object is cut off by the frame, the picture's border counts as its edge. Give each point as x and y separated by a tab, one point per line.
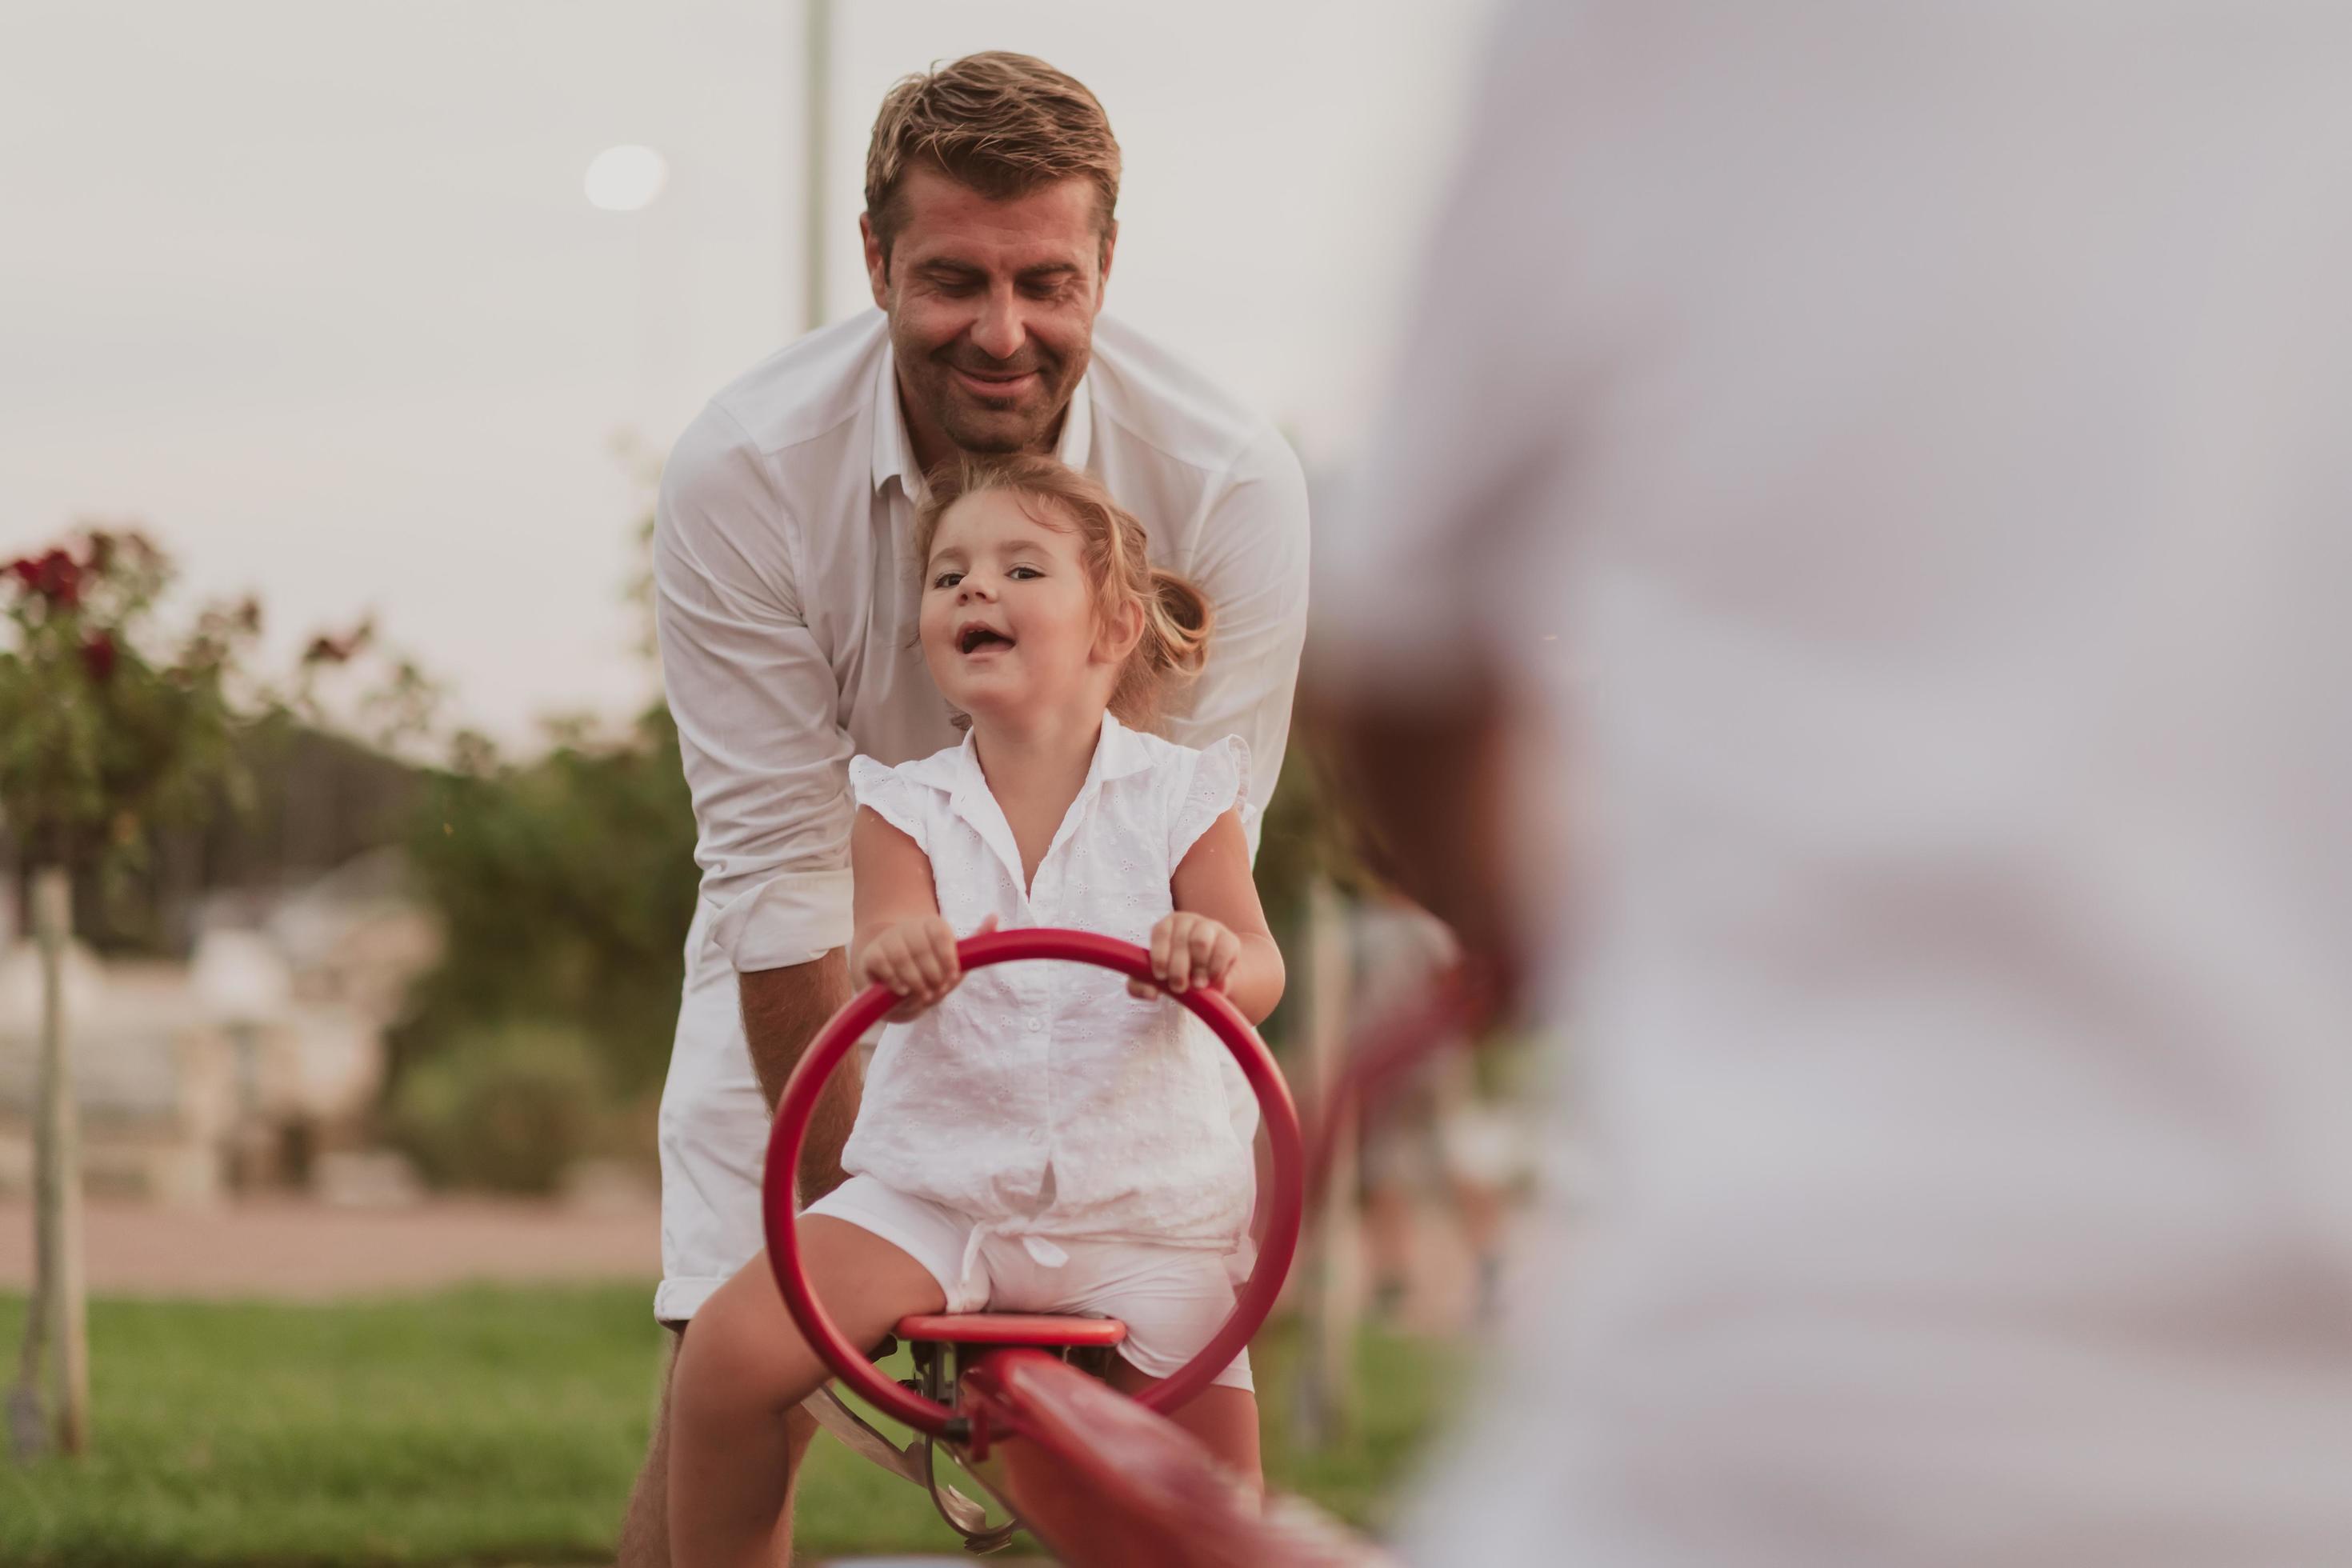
1001	123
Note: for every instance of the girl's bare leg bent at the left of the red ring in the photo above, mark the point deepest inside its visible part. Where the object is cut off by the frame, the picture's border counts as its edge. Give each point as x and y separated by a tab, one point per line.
744	1367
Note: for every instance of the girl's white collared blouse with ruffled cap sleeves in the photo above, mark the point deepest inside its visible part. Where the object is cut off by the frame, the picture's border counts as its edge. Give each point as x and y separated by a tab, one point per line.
1043	1099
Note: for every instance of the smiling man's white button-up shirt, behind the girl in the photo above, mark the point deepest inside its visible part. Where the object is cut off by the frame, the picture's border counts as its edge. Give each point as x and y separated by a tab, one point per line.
787	598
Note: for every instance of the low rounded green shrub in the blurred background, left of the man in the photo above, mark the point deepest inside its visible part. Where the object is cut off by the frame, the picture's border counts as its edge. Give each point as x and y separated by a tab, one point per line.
505	1108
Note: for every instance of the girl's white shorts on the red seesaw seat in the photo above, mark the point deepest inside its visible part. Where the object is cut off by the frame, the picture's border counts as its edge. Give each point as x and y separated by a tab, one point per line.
1172	1299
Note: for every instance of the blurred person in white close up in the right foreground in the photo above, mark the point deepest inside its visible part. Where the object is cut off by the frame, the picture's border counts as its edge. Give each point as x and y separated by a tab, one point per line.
1904	457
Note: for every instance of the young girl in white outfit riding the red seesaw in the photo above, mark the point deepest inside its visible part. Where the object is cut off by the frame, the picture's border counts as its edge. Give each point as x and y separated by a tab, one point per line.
1045	1139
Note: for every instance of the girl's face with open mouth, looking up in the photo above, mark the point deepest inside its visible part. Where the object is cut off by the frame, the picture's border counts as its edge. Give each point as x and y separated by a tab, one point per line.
1010	622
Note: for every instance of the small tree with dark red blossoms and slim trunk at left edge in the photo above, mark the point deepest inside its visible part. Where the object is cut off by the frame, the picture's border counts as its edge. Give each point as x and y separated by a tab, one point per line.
100	737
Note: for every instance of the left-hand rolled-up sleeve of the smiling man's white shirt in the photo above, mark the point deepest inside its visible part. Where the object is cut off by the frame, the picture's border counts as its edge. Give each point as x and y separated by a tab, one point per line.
756	706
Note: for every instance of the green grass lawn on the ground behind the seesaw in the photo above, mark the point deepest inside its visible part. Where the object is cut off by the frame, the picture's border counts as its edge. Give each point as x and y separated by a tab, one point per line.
476	1426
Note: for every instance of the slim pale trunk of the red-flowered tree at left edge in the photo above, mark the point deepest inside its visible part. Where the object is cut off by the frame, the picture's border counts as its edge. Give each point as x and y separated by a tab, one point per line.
55	1322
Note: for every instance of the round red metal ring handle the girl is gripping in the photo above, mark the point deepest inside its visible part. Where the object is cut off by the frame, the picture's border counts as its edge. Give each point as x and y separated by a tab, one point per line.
862	1012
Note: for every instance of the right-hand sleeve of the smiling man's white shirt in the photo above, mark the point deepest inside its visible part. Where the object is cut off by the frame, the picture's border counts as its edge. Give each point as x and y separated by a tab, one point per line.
1252	563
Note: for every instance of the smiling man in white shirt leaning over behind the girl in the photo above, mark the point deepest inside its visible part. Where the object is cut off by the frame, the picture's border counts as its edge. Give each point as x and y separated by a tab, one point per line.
787	591
